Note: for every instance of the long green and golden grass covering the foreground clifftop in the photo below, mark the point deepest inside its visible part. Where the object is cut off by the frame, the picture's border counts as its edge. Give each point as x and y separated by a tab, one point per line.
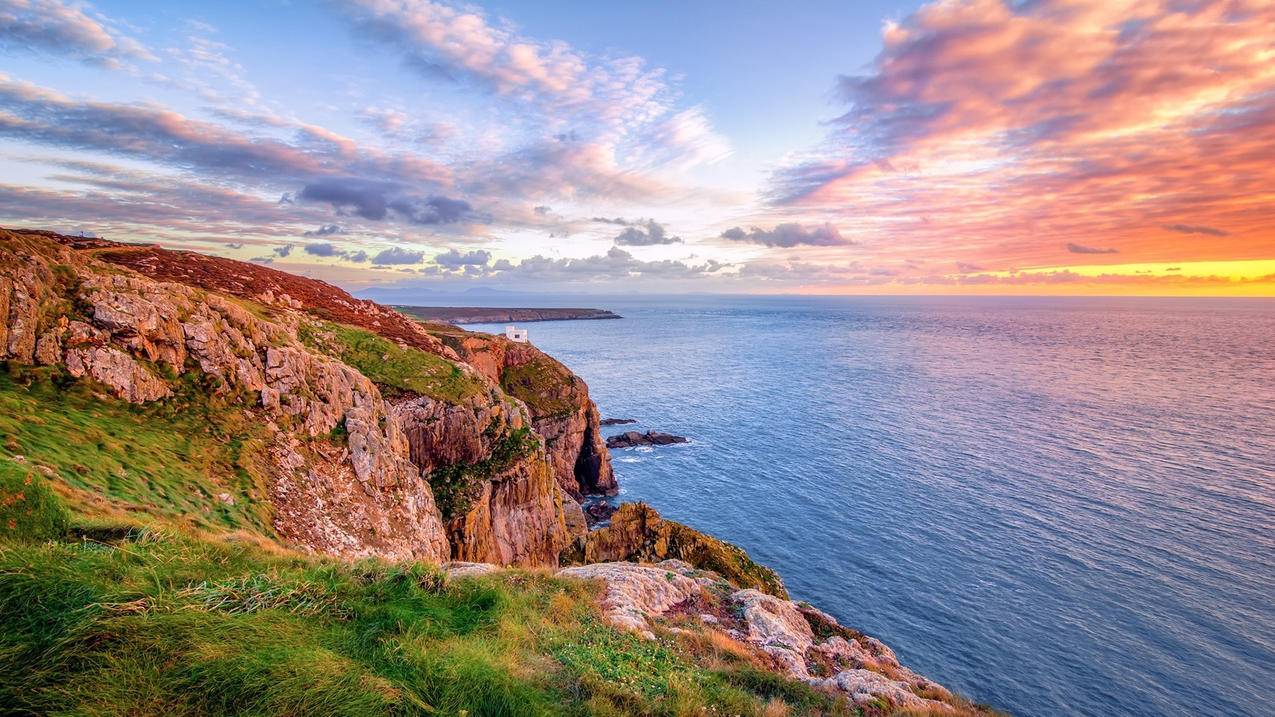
166	623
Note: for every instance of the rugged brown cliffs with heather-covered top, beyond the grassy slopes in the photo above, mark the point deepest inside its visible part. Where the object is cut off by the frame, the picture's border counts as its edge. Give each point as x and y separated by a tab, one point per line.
410	410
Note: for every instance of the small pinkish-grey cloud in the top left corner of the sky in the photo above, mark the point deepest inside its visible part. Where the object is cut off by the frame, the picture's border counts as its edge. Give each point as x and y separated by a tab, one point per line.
61	29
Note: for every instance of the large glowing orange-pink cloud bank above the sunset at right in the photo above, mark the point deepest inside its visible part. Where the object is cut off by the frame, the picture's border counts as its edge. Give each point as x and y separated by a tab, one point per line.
1017	137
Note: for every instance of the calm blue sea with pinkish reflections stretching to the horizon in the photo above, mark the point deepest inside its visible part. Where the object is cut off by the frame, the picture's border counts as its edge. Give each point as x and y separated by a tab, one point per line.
1058	507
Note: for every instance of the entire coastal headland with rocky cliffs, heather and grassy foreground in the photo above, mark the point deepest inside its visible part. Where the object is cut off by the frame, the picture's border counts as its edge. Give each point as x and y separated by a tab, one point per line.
225	489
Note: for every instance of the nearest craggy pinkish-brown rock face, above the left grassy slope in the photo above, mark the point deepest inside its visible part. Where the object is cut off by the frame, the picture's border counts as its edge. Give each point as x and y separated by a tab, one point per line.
140	339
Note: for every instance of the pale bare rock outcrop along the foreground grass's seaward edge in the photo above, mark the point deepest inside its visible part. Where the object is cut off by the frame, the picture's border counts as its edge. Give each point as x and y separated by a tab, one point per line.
798	640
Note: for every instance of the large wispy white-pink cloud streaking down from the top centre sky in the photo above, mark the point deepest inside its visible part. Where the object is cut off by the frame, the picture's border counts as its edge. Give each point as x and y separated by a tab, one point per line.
609	122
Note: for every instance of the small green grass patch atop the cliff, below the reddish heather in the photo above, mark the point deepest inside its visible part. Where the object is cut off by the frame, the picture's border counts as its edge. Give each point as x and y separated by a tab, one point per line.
397	369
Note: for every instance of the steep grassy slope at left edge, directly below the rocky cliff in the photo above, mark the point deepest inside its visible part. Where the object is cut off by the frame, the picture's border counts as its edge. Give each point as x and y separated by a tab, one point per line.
168	460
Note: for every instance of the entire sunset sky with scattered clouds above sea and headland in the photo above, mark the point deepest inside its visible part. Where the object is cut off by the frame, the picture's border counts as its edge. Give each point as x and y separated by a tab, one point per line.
1055	147
